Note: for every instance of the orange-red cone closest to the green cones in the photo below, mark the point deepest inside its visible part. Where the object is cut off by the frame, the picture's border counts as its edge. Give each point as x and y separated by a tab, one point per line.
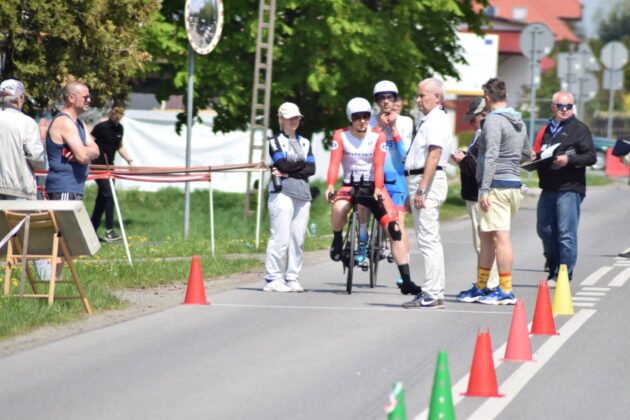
483	378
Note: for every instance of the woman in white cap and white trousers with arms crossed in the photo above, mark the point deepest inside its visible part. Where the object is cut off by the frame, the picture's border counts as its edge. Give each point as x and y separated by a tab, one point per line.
289	202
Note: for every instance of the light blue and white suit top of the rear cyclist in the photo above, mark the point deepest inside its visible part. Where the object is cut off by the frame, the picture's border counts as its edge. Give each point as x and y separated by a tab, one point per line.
396	150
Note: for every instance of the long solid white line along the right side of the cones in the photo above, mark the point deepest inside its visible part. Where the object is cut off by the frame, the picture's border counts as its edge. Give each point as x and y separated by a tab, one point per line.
513	385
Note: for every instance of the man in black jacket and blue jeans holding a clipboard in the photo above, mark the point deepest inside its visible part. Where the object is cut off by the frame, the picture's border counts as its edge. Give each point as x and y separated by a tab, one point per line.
563	183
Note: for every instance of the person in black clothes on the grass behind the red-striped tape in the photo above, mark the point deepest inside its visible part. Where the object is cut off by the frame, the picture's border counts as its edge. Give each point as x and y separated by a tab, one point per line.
109	138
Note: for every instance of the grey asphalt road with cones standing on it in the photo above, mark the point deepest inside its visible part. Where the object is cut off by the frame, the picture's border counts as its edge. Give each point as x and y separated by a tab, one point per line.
324	354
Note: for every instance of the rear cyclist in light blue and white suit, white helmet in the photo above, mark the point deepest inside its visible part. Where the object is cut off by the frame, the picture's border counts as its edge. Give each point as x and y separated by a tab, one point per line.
398	131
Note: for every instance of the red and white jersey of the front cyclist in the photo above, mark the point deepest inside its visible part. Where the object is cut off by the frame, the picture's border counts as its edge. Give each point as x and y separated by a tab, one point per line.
358	157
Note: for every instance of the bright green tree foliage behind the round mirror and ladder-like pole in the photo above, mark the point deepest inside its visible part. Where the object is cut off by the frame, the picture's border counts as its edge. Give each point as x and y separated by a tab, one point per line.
325	52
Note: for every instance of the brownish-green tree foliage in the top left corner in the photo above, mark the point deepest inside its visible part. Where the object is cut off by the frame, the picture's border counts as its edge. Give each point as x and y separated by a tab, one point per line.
97	41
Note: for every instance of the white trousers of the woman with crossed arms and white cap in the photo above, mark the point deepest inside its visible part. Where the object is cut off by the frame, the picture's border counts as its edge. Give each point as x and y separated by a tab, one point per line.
288	219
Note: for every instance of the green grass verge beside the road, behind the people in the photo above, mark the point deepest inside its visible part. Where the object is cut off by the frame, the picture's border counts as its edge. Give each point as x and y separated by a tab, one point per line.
154	225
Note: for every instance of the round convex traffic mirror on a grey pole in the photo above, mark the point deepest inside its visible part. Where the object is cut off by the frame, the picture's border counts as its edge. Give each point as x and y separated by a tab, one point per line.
204	22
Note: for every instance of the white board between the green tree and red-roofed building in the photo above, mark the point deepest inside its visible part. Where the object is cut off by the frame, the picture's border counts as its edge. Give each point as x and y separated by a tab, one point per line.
481	54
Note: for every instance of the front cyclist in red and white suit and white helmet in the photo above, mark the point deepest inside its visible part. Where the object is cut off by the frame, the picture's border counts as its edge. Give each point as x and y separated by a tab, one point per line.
360	150
